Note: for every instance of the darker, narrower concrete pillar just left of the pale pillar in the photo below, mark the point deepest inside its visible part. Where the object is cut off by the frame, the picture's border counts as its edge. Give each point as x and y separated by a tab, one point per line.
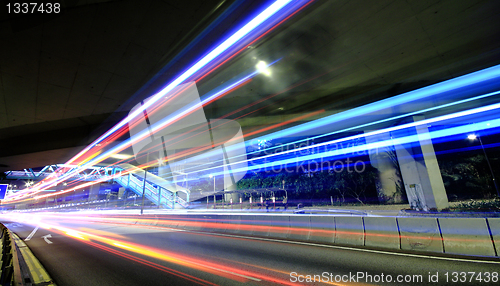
383	159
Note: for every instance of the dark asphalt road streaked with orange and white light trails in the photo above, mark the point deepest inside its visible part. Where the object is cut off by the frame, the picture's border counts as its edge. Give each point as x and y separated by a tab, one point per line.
85	253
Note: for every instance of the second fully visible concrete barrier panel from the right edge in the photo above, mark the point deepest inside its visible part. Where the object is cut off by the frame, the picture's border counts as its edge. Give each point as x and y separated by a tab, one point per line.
421	234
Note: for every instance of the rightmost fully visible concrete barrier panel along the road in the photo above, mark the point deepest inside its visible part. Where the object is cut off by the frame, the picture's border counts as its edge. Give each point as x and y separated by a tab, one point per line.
468	236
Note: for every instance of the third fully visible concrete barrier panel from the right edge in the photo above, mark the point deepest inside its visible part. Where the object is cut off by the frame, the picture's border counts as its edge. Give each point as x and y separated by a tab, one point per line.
382	232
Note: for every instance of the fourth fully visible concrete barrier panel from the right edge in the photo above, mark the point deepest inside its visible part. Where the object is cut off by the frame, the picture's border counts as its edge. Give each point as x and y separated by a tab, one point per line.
349	230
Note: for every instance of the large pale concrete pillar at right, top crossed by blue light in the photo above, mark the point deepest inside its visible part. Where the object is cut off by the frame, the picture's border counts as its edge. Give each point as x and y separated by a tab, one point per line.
420	170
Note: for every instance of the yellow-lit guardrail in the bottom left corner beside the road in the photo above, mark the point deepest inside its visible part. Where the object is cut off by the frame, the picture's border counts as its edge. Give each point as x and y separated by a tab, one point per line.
19	265
